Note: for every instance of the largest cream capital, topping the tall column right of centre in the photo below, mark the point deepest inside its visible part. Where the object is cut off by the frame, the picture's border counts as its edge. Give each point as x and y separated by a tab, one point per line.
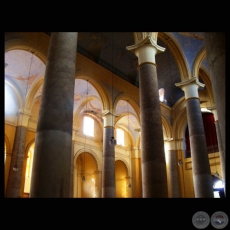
146	49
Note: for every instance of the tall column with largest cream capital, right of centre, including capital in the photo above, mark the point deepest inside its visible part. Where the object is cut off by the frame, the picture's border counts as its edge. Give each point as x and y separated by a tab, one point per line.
154	176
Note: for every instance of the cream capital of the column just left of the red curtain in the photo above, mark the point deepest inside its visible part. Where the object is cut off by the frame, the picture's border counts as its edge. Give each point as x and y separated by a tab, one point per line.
190	87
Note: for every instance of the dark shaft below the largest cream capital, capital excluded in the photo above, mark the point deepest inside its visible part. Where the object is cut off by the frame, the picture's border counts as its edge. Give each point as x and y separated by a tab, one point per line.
154	178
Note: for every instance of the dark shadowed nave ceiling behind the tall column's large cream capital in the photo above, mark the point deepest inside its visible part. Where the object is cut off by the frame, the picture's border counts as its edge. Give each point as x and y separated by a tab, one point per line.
108	49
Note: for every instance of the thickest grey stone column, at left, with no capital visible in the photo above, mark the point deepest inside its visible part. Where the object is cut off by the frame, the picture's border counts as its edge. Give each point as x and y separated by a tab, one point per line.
53	144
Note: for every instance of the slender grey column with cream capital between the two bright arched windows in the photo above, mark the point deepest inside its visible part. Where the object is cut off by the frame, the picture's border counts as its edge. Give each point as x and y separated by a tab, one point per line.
108	155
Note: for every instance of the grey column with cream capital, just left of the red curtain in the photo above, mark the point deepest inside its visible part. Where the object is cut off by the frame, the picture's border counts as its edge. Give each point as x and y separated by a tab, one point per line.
202	179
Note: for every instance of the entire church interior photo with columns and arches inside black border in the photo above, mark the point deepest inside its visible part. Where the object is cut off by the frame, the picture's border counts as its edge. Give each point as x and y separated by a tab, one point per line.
114	115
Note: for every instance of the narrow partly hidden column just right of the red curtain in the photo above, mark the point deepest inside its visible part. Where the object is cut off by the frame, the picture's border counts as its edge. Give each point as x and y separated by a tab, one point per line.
220	147
